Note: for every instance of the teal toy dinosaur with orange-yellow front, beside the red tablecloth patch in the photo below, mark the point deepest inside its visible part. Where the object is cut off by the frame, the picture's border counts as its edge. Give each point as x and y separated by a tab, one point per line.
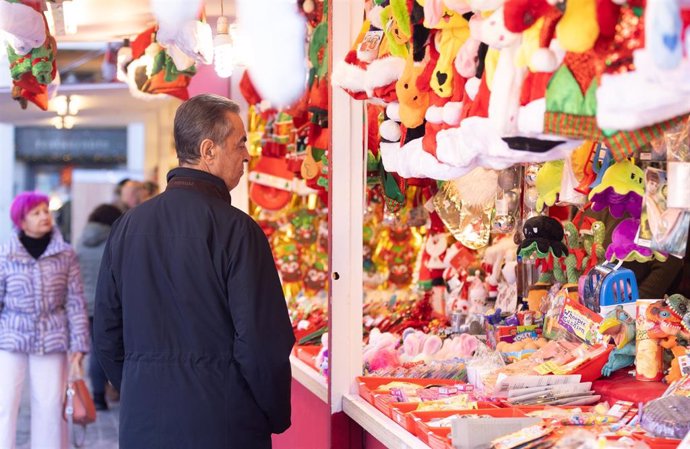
620	327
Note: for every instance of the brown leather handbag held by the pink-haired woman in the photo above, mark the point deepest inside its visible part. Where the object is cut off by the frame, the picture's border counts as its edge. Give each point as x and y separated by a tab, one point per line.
78	408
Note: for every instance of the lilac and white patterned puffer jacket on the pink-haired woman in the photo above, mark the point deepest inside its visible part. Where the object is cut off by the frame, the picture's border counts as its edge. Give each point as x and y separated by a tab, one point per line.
42	306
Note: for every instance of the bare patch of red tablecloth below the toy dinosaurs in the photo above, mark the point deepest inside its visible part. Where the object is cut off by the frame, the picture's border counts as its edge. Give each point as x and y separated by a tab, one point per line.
623	387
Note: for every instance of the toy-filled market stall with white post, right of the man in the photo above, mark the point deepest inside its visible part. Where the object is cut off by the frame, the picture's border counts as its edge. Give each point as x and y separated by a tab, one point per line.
520	297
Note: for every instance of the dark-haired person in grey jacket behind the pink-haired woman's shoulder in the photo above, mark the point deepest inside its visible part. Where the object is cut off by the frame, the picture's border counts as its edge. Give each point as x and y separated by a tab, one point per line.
90	251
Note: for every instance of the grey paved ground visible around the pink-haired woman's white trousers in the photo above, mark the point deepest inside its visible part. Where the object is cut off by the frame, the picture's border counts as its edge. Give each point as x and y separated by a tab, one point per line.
100	435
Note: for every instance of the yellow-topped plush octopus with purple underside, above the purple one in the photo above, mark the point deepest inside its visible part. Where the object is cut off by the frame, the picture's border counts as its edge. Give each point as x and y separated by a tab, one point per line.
621	190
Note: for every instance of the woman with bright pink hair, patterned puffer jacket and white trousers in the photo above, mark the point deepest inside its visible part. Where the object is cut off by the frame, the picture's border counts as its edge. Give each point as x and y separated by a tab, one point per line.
42	319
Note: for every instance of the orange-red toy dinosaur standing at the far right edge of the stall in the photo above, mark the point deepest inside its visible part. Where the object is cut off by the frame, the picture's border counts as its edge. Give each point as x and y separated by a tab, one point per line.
669	327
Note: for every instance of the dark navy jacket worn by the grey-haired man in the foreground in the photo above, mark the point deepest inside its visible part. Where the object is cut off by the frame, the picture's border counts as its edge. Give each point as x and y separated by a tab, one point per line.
191	324
